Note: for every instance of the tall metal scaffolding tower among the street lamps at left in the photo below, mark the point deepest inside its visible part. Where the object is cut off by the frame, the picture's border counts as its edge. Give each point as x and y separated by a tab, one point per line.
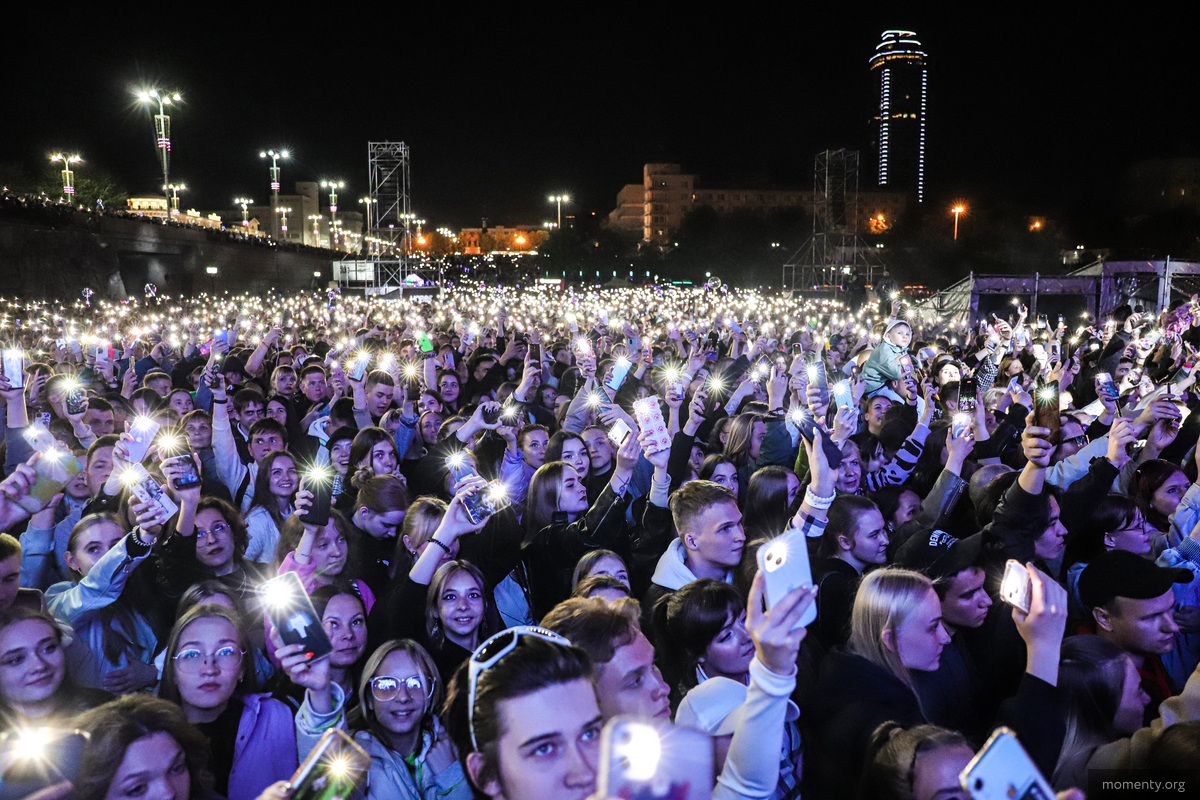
391	214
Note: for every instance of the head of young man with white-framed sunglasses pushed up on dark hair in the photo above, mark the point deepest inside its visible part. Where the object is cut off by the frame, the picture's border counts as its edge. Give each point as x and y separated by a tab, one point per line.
523	712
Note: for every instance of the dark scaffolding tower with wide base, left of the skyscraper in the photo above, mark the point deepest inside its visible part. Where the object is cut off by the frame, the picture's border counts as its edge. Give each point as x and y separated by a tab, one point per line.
836	251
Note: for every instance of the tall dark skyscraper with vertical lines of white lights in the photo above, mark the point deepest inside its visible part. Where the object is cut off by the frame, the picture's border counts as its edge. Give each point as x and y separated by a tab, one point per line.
902	80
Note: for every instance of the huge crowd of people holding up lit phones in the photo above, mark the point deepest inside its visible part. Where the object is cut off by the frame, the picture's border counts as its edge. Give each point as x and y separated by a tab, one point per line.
548	510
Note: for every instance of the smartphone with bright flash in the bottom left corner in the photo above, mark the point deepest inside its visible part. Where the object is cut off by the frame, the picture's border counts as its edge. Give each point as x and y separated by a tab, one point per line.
39	759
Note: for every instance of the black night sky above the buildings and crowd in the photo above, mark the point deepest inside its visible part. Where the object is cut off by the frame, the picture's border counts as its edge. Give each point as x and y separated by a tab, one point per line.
506	105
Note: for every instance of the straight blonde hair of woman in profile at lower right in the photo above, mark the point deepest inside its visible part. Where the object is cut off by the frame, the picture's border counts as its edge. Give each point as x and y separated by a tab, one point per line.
886	599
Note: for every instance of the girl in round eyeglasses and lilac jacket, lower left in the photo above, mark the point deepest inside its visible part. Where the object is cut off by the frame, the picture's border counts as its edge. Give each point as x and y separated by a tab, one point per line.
254	738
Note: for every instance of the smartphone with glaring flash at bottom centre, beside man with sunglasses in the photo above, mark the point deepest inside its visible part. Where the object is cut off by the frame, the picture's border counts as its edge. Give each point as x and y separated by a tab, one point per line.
649	761
